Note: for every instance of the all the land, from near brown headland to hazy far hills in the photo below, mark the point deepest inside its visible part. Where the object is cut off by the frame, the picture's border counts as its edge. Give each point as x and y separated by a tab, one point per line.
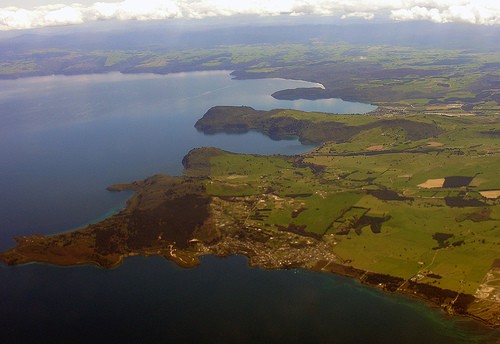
405	198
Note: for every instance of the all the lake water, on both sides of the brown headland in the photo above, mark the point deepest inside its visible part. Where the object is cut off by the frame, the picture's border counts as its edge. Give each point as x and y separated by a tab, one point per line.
64	139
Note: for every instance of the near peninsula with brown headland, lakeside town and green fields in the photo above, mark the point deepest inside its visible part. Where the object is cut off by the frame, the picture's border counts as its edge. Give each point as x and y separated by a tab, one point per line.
406	200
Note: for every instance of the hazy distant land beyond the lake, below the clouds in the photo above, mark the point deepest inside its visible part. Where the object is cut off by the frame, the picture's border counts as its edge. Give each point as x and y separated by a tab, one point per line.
423	64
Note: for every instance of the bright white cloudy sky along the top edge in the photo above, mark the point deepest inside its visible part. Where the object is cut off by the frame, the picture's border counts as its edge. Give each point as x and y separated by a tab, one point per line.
27	14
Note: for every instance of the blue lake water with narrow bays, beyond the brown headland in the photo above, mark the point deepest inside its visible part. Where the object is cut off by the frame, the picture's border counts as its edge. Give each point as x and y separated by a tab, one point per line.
64	139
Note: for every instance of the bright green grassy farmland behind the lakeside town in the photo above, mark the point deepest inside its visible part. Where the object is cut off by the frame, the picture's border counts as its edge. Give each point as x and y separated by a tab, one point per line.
405	245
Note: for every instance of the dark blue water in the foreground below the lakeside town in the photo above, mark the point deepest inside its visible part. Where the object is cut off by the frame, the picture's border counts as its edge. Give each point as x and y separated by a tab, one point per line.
221	301
